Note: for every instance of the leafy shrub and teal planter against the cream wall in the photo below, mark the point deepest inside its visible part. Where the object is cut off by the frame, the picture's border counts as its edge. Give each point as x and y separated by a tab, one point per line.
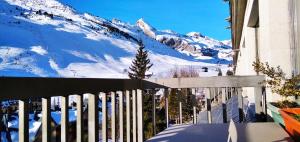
279	84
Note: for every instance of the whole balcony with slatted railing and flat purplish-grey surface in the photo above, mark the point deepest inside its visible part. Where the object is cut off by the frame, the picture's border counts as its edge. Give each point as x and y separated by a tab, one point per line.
129	111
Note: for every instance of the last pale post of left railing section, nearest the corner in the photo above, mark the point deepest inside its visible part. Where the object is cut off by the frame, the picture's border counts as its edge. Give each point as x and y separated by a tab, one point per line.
140	115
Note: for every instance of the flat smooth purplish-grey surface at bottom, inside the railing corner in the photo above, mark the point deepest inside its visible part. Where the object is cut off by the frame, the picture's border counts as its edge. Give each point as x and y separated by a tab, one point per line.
247	132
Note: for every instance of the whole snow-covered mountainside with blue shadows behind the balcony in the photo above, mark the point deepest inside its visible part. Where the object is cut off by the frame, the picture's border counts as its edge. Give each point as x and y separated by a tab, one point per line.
47	38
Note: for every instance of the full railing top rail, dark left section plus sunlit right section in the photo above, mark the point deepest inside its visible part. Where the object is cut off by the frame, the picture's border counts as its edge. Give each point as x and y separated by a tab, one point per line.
30	87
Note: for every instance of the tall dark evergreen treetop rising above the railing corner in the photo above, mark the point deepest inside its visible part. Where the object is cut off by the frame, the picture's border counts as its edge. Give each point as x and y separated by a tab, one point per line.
140	64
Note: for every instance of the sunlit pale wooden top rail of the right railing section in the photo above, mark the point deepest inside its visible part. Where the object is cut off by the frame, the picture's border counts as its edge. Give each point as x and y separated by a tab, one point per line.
217	81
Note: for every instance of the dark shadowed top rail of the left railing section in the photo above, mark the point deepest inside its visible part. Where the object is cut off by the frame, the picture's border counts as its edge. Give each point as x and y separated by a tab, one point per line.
30	87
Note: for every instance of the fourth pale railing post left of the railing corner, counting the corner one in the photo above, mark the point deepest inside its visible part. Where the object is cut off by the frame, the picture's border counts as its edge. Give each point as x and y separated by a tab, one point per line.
121	128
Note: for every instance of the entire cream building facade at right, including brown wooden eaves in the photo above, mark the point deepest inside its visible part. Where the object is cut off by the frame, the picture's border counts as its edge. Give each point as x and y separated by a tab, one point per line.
268	30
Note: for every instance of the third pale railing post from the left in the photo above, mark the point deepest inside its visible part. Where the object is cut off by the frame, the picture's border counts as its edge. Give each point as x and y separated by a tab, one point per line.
64	118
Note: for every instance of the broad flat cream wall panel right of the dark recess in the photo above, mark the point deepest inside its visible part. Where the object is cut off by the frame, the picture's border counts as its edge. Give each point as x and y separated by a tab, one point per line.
275	33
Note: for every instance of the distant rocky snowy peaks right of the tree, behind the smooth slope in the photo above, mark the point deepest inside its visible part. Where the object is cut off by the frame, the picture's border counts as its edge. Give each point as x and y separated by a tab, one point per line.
194	43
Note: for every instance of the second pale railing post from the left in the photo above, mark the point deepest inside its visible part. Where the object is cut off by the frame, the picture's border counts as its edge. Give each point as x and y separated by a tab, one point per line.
46	112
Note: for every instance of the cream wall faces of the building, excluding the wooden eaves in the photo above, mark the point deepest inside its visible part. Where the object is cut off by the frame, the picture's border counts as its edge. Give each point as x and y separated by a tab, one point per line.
272	38
